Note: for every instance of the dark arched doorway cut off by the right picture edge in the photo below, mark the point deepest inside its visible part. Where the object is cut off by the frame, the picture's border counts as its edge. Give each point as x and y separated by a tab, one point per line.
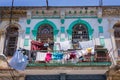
116	28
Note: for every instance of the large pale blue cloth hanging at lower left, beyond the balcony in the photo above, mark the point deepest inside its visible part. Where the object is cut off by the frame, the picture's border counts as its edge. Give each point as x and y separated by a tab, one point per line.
18	61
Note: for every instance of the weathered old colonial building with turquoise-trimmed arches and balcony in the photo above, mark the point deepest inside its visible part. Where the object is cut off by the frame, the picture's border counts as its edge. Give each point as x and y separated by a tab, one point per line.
23	26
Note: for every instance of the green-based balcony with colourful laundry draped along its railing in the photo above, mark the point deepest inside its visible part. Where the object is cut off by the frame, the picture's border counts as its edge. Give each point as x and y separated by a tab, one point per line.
74	58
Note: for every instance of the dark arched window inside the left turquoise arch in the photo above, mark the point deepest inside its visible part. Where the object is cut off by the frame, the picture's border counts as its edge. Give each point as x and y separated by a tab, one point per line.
44	33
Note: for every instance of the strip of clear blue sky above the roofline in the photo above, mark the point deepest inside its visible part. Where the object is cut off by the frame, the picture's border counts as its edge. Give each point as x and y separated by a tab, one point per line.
59	2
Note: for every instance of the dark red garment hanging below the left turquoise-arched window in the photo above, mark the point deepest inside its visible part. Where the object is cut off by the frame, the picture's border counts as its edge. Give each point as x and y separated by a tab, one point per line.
35	45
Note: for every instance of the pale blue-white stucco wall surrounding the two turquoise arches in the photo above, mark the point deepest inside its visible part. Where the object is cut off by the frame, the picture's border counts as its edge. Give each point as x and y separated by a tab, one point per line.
92	21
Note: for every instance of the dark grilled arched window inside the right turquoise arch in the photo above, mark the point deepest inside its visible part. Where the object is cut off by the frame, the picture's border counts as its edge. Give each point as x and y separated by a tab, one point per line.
79	33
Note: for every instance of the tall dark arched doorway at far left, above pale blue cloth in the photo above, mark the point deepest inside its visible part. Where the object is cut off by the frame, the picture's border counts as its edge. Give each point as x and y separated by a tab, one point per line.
11	39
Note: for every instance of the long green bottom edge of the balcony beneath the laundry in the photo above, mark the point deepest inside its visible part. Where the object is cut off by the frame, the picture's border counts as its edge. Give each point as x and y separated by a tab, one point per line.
69	64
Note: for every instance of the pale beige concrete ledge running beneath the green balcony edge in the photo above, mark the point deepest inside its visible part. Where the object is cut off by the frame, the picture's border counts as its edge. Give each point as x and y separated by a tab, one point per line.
45	72
